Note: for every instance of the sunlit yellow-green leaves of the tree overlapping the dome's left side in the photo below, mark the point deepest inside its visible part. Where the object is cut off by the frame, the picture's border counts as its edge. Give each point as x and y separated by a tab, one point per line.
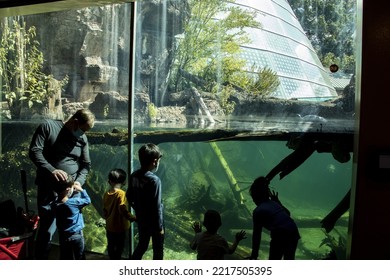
213	33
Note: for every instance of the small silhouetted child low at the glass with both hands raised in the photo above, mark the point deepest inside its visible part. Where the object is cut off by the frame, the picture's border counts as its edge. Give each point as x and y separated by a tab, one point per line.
209	244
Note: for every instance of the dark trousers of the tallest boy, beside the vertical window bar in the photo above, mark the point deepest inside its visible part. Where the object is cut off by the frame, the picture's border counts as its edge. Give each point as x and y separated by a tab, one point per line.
145	233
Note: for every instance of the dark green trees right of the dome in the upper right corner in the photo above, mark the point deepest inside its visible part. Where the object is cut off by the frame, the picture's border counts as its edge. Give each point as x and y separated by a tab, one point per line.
330	27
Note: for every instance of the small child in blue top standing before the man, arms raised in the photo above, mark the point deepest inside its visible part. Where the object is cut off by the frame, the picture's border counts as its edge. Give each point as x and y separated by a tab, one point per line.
72	198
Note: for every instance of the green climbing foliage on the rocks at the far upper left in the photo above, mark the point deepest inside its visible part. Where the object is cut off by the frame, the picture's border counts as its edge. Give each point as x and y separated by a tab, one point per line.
22	81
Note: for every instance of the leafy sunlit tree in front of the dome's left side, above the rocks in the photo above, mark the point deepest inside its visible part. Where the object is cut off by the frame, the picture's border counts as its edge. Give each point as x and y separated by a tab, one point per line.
210	46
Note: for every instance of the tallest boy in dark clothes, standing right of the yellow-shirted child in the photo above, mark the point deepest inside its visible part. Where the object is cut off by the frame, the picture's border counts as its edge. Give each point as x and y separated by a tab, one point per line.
144	196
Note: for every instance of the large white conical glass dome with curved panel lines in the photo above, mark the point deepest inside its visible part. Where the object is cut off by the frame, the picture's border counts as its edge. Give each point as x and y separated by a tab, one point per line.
281	45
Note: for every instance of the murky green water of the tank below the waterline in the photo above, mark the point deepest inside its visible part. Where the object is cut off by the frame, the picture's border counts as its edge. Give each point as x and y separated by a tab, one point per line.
194	180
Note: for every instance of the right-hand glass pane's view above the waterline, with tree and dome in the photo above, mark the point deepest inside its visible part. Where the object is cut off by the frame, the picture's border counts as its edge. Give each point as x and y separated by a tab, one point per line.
238	69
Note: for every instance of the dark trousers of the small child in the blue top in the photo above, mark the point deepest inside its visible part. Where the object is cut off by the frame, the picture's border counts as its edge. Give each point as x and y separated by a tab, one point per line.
72	246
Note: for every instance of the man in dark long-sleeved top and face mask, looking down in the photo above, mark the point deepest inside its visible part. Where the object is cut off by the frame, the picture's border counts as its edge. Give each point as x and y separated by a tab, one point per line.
58	148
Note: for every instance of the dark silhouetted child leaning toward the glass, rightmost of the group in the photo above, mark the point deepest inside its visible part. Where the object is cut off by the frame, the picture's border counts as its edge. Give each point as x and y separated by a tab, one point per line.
272	215
